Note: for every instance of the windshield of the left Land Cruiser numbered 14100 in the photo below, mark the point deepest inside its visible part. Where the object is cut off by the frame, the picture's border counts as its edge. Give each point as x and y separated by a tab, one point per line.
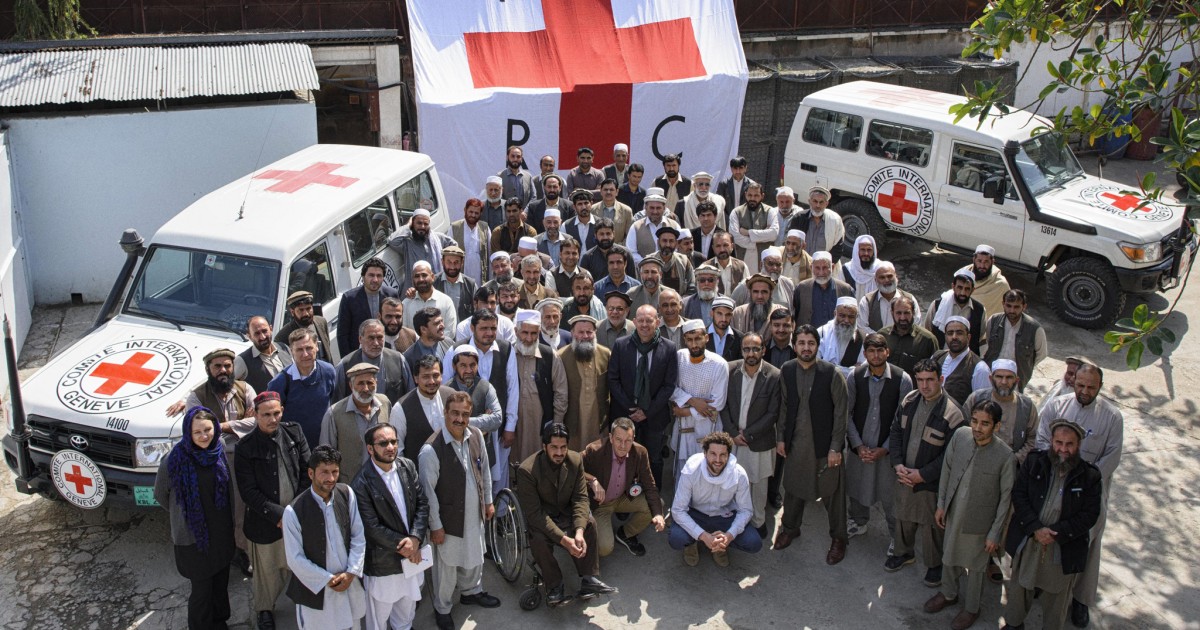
202	289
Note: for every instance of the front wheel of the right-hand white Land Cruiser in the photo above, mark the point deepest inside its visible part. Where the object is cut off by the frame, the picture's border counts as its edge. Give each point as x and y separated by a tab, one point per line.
1085	292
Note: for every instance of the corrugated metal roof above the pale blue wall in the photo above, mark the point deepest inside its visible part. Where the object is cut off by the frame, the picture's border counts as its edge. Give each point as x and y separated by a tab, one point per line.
153	74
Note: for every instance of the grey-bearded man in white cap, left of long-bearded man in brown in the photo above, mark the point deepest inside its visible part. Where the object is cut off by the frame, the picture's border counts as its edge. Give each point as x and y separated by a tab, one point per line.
543	393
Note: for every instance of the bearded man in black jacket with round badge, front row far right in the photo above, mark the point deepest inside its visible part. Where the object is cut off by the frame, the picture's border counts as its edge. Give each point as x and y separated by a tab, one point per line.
1057	501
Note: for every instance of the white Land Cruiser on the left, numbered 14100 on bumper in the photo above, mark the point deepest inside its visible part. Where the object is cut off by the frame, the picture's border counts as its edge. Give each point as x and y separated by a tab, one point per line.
94	427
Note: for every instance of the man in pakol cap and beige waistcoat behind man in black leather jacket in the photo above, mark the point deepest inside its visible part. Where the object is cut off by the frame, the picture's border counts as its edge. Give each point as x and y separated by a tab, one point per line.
350	418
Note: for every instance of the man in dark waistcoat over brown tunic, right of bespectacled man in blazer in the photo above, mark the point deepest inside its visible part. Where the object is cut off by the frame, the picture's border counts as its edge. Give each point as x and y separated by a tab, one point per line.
812	436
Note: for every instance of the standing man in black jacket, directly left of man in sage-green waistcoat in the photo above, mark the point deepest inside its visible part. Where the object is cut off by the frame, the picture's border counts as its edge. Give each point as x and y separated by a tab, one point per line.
917	445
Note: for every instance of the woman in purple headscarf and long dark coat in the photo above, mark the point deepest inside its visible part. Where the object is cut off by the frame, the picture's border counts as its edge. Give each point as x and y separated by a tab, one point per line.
195	487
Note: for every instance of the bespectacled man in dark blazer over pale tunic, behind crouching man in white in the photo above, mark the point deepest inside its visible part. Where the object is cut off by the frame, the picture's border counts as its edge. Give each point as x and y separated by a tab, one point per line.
754	433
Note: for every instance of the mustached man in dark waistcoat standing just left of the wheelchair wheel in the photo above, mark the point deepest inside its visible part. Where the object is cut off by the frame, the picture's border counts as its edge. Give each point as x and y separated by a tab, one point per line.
458	481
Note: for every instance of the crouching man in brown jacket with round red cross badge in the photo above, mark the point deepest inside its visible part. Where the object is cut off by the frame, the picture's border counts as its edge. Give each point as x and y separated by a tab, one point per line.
645	508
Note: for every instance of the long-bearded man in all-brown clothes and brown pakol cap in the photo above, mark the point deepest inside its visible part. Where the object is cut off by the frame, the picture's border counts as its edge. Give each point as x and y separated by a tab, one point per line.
586	365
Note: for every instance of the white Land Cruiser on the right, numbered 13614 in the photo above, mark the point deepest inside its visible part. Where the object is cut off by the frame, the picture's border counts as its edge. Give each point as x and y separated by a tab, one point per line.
896	161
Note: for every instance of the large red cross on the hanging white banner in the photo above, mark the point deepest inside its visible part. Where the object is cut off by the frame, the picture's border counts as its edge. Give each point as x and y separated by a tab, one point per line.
596	65
